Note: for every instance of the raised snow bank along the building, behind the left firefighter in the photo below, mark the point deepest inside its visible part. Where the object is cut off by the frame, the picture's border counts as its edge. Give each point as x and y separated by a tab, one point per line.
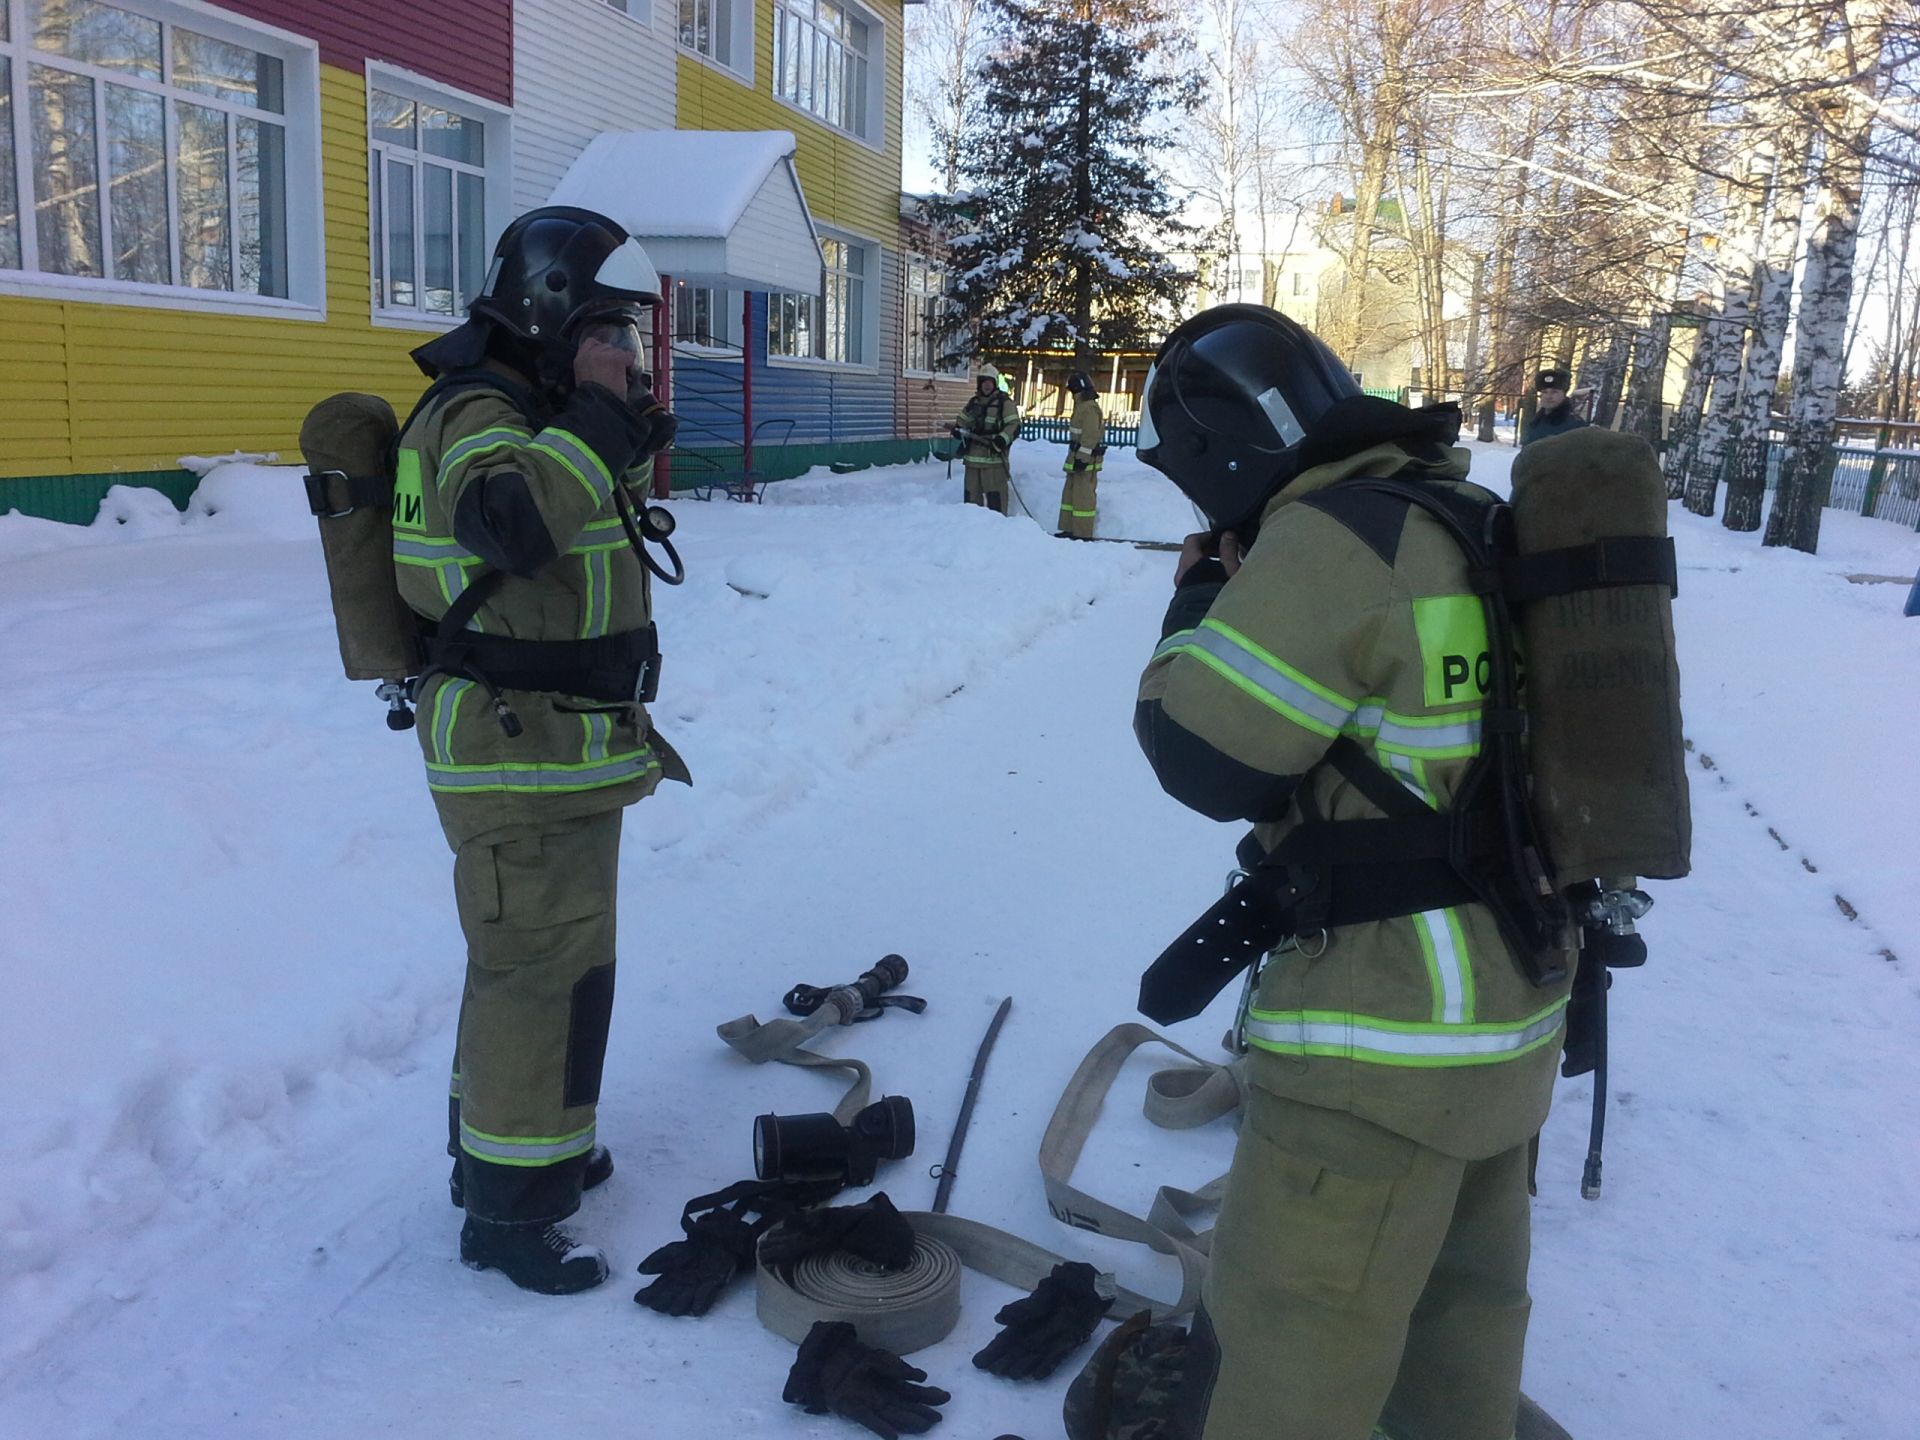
229	901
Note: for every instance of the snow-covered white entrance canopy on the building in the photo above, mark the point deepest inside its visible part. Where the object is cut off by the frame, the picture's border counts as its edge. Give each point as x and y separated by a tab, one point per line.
719	208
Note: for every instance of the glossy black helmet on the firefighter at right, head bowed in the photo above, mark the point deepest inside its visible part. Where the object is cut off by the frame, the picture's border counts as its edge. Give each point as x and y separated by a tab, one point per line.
1228	402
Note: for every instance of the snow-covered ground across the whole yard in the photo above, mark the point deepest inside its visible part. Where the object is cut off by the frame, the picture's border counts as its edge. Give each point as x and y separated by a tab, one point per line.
231	974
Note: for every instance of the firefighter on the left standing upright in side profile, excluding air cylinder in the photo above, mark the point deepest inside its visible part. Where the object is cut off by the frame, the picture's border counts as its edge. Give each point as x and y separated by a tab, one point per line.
510	542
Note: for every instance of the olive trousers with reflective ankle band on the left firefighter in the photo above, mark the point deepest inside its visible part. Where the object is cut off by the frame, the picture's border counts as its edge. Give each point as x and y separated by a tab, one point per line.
539	911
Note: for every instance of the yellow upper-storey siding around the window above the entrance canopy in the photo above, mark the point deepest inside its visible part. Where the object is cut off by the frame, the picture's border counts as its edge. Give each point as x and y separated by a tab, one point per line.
848	183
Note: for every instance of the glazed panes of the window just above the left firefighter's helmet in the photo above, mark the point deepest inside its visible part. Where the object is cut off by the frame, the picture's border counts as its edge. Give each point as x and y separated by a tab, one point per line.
429	204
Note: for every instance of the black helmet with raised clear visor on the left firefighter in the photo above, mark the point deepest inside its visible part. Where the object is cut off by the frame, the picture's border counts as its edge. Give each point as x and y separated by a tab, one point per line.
560	268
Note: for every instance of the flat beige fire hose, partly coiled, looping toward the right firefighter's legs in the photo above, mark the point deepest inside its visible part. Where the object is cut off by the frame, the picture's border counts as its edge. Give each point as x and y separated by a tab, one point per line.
921	1305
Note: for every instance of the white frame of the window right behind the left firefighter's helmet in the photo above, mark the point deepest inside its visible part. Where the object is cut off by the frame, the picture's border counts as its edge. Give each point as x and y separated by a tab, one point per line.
496	172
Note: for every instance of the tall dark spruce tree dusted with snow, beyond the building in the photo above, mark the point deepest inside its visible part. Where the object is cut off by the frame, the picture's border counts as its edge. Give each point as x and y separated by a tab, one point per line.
1057	241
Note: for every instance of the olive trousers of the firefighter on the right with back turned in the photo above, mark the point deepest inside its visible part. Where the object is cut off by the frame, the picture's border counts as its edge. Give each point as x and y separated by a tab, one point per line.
1362	1282
